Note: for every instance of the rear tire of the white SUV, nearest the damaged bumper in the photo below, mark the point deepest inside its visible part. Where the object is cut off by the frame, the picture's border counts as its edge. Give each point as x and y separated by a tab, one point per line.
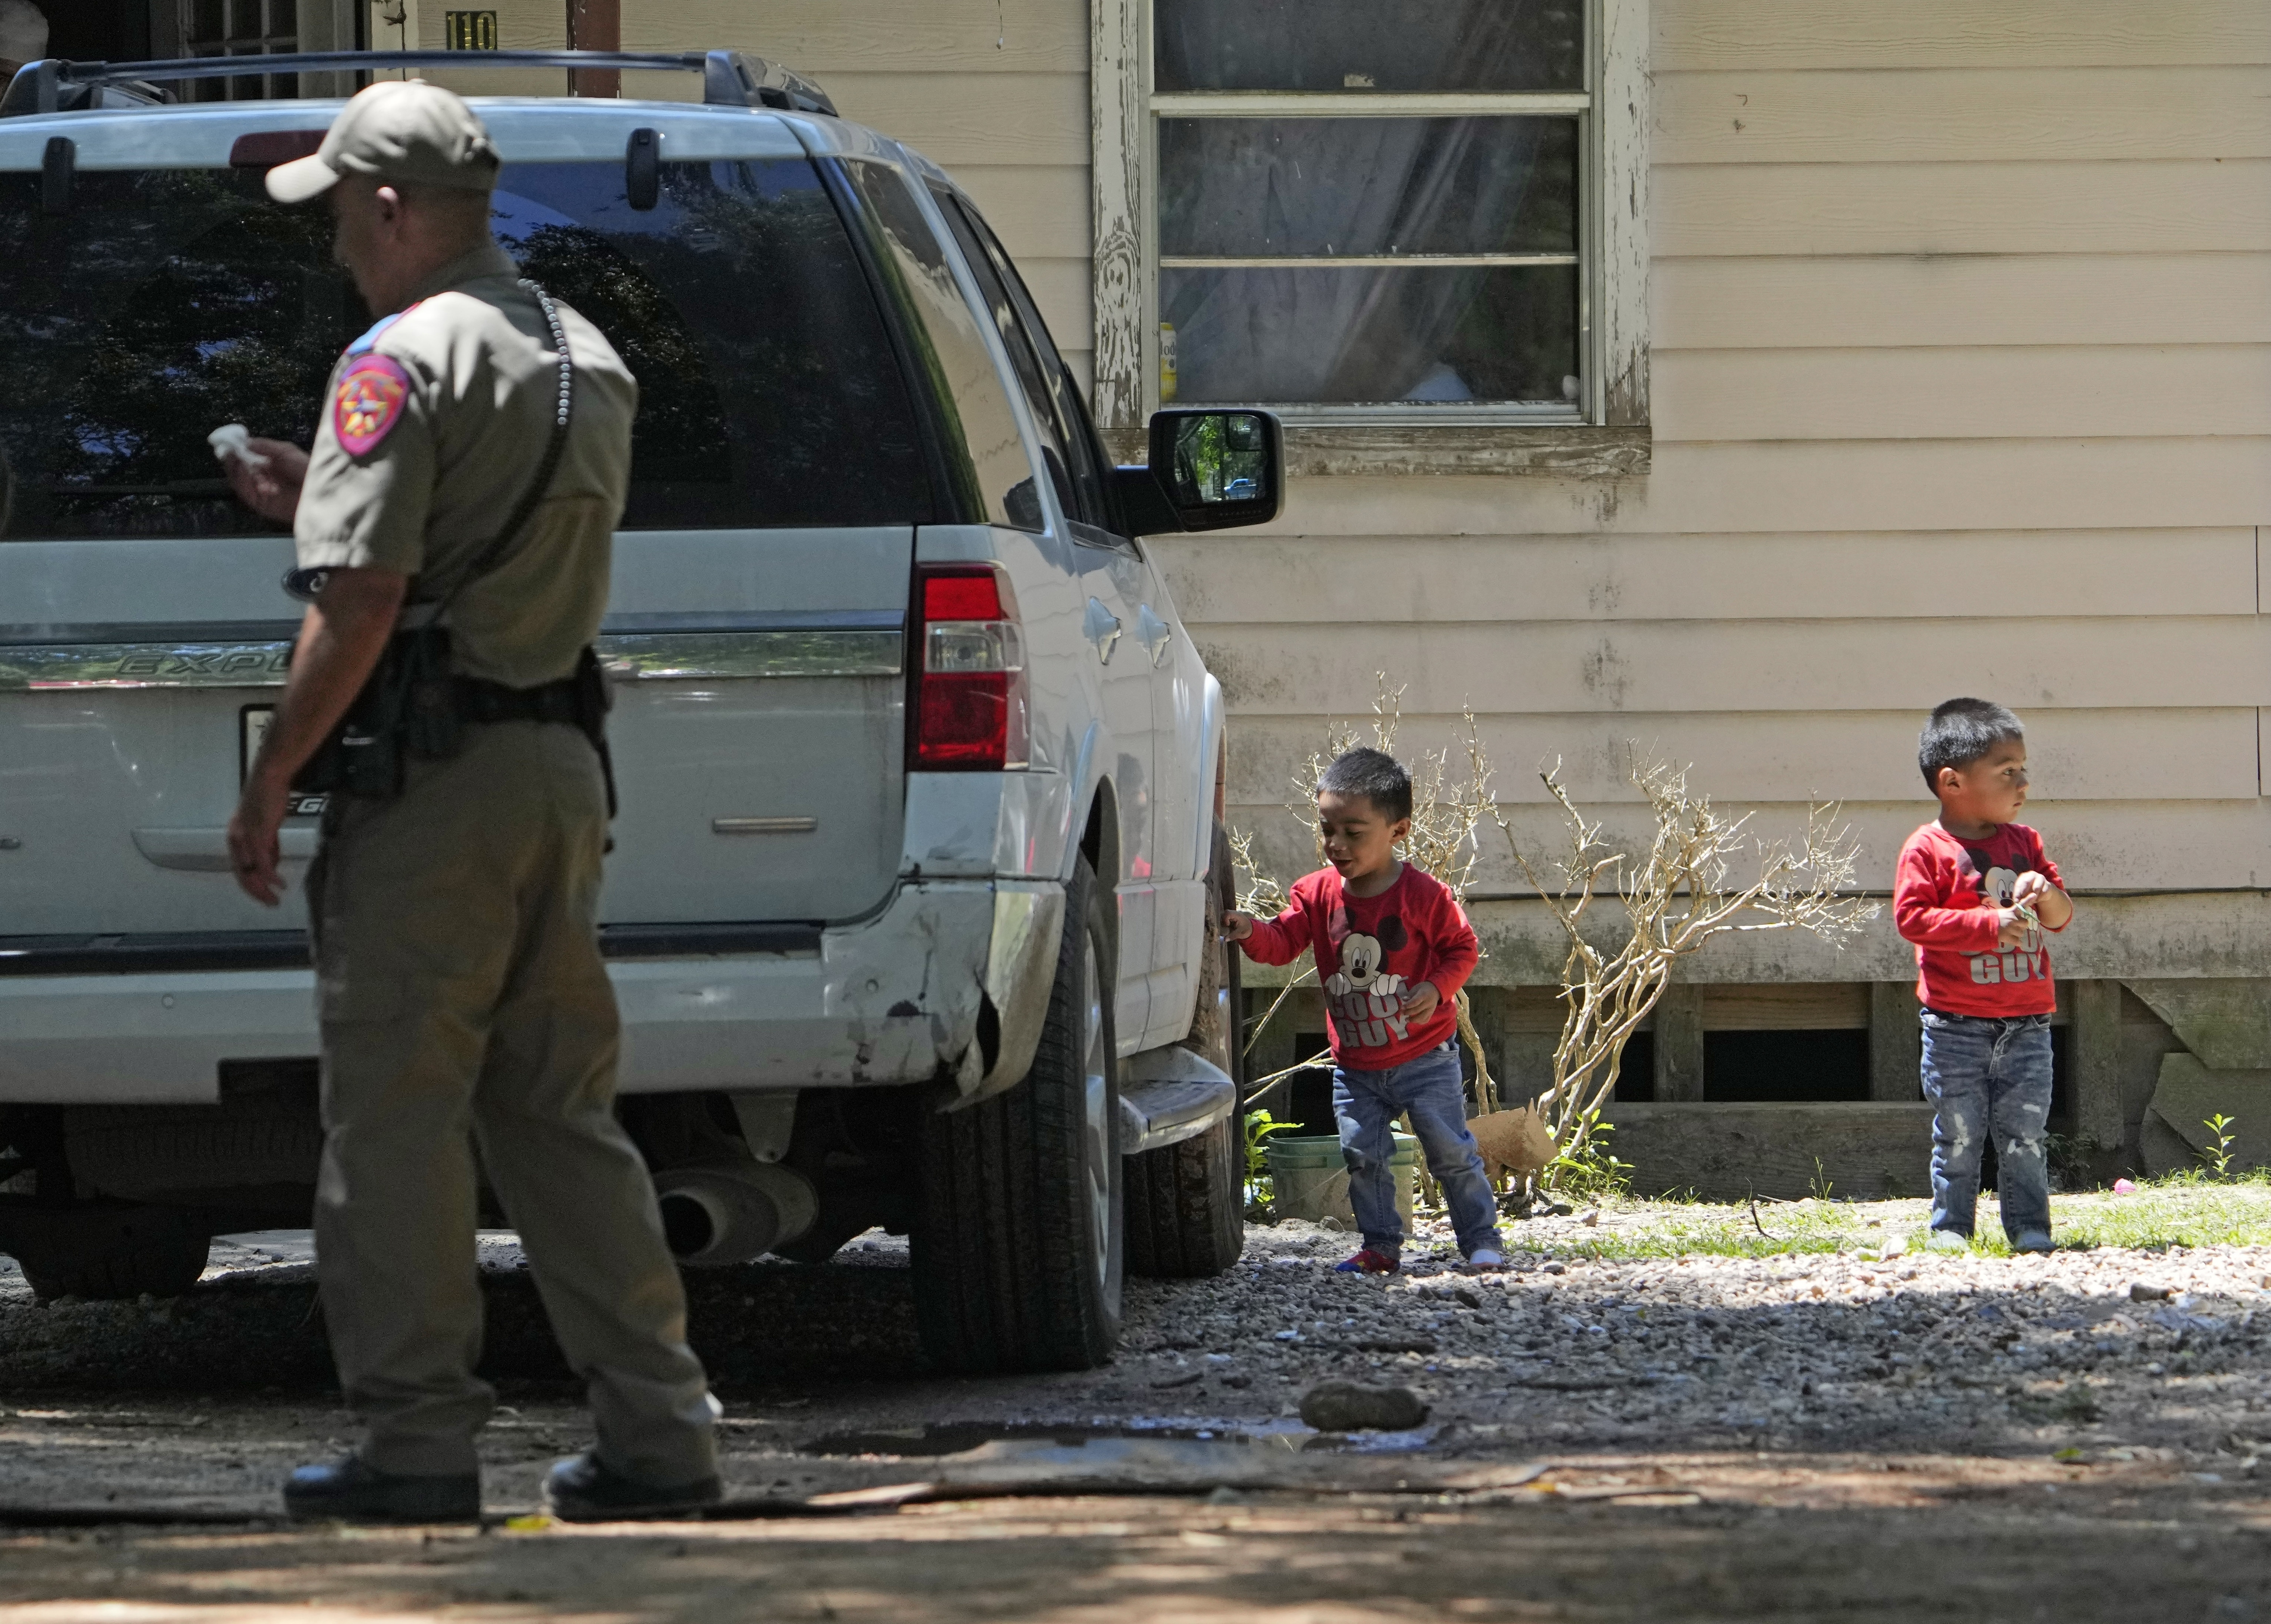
1019	1241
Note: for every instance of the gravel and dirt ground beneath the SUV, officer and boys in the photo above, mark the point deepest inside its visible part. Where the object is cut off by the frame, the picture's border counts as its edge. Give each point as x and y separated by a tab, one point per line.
1659	1439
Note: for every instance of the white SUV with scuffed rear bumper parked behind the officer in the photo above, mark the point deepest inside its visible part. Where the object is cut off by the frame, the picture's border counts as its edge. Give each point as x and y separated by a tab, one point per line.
921	773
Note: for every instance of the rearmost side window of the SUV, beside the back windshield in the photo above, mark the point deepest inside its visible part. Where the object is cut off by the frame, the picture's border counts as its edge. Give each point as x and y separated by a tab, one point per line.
953	349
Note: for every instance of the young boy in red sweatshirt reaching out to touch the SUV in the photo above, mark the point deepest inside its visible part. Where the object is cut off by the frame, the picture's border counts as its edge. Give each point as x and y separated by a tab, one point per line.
1393	948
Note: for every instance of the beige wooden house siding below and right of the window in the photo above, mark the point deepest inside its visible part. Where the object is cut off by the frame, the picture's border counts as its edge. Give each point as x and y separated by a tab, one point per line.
1961	321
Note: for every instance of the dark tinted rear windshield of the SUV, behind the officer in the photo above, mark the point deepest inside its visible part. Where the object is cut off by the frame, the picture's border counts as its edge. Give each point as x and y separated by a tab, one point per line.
169	303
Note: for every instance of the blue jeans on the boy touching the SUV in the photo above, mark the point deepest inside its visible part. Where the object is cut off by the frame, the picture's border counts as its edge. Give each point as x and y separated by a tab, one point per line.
1436	1098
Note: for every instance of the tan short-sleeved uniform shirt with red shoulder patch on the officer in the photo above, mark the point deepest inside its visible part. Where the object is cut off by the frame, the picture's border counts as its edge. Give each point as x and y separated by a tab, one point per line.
433	433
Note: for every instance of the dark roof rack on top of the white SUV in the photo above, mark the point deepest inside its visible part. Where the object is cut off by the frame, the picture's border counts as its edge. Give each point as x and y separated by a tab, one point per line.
730	78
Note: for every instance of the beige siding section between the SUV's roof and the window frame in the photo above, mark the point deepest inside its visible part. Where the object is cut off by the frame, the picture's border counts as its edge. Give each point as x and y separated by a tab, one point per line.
996	92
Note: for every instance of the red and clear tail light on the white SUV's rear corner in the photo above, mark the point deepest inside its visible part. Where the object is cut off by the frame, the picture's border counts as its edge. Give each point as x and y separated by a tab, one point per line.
971	696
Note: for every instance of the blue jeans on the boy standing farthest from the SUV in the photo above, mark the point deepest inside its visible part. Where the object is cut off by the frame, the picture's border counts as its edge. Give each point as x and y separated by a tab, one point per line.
1988	1078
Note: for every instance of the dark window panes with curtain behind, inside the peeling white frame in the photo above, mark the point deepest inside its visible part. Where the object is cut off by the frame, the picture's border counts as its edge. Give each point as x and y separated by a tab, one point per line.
1400	226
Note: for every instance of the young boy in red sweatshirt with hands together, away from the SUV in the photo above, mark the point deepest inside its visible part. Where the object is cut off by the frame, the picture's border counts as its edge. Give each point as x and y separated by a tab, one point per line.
1975	894
